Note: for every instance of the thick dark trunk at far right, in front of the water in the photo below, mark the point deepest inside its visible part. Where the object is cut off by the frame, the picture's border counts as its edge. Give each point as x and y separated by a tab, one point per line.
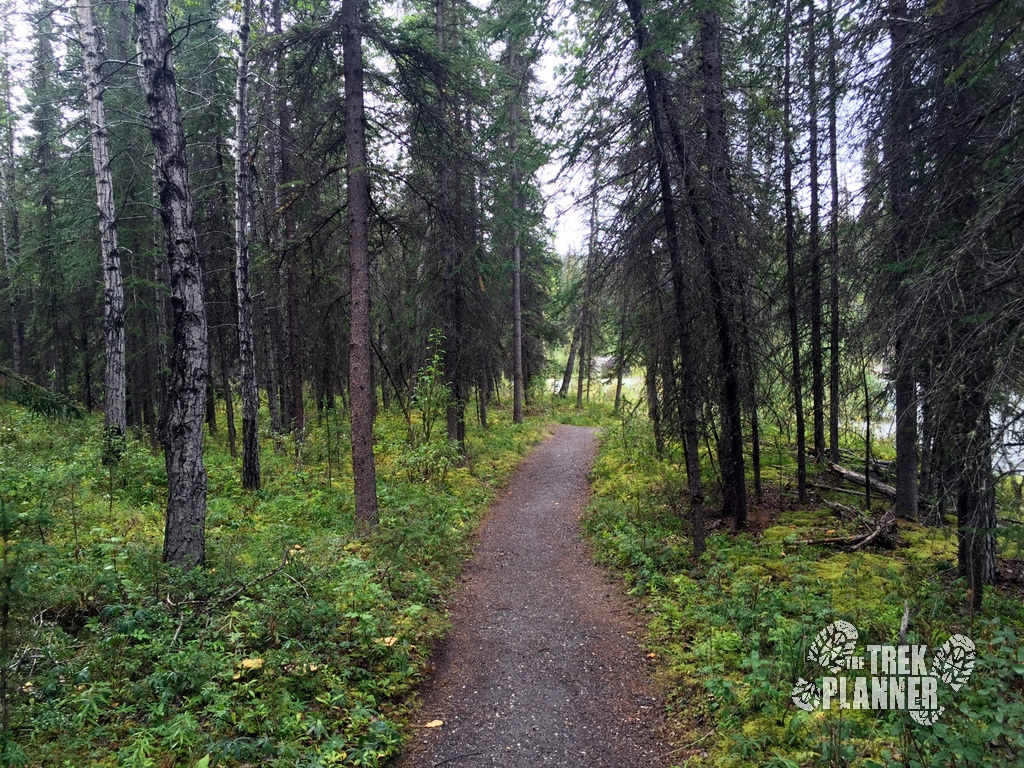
972	358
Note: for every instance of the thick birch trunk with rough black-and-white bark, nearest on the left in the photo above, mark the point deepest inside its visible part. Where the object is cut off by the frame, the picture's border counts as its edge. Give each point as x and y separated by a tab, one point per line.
185	537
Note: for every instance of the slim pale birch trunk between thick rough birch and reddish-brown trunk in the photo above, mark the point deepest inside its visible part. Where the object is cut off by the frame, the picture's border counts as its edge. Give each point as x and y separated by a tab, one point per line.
247	349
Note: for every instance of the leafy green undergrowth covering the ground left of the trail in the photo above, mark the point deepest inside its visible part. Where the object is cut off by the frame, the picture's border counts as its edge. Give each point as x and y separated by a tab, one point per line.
300	643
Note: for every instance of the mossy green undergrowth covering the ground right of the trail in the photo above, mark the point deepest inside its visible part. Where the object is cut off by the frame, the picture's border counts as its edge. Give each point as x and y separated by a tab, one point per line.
733	631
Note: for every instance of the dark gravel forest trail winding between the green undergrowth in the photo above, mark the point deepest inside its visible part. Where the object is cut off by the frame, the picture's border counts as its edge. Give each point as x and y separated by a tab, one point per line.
541	667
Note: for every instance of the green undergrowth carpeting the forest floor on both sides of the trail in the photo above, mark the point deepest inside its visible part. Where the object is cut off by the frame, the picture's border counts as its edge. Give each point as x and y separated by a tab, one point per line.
302	645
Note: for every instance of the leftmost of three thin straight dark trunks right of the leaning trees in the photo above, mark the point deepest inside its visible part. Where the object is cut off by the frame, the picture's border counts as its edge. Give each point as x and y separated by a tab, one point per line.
791	261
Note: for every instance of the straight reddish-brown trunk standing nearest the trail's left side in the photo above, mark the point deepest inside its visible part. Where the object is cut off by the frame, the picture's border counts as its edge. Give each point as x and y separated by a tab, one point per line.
361	330
